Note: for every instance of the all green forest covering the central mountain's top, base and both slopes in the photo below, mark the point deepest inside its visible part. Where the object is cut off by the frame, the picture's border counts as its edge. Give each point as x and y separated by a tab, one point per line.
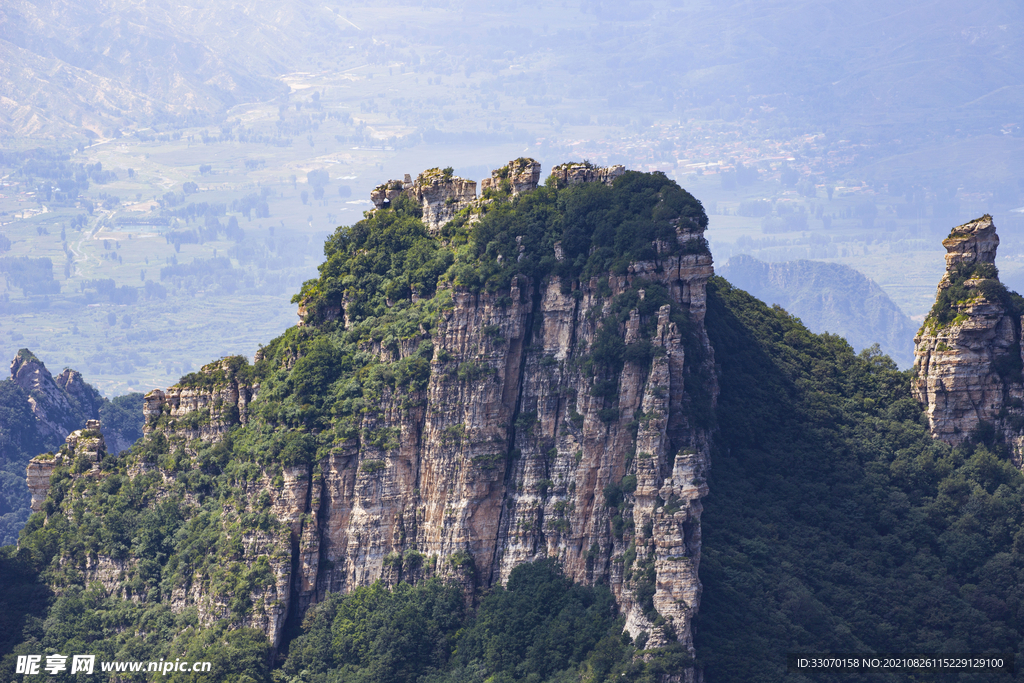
834	525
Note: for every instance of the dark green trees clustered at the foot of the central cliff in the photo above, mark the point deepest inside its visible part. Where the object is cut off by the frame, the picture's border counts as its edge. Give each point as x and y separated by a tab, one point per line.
538	627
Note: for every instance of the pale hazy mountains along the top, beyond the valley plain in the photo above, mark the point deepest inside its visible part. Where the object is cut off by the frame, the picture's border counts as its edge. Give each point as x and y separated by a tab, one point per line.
921	71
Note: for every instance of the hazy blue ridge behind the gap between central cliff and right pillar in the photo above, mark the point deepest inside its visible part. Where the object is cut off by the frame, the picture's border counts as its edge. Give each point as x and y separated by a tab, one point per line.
829	297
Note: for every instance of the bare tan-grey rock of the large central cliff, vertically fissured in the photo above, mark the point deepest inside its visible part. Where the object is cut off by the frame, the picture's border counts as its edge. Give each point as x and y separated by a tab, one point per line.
520	443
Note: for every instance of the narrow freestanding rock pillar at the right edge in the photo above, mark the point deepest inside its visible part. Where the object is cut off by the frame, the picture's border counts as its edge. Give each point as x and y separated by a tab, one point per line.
968	354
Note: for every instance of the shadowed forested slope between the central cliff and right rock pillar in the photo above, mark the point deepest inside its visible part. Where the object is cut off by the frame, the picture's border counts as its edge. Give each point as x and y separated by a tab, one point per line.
835	523
